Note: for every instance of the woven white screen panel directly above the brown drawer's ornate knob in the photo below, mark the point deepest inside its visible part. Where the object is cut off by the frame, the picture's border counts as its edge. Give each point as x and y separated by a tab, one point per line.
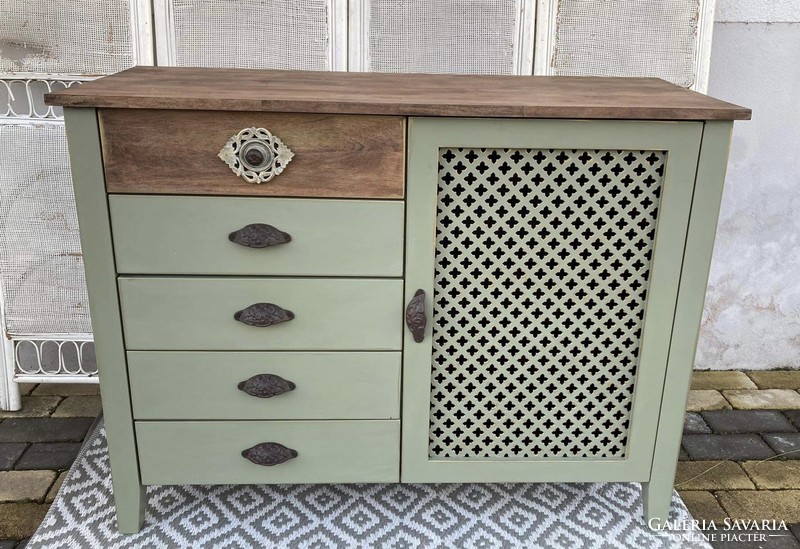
251	34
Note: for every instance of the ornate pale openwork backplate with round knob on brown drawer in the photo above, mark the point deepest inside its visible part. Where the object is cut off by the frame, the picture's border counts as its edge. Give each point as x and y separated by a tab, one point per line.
256	155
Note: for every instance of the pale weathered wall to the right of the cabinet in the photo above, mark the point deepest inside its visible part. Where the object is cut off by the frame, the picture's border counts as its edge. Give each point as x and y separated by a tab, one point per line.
752	316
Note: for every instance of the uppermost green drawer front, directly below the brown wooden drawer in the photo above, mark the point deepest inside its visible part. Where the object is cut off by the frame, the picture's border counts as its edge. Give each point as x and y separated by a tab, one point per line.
190	235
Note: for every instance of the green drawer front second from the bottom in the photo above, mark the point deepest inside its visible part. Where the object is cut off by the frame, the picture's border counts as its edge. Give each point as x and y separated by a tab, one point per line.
204	385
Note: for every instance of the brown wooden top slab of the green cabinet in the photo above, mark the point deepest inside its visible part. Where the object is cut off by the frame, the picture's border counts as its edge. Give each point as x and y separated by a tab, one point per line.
397	94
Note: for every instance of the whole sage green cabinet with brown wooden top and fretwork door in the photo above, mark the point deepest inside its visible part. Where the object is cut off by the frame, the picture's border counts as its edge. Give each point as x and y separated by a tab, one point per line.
315	278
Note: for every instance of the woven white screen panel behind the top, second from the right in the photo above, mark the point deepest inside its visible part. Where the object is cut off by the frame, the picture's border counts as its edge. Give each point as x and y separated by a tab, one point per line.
461	37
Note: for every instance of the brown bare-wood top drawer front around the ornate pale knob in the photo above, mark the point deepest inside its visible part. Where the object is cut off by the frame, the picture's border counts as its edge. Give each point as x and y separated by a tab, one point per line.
175	152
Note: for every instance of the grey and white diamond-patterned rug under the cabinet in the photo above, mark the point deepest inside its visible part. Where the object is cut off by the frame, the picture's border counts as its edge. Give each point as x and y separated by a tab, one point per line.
552	516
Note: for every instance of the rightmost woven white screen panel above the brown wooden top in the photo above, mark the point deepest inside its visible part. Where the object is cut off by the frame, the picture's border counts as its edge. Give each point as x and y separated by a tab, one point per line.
658	38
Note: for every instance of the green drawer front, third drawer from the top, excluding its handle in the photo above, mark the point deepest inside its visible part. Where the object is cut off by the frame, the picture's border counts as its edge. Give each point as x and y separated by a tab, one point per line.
198	313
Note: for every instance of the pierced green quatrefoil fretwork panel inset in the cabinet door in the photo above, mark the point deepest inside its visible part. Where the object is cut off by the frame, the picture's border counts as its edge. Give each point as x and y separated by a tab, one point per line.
542	267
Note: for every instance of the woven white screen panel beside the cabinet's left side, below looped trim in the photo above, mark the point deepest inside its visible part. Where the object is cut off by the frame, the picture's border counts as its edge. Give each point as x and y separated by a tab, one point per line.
41	266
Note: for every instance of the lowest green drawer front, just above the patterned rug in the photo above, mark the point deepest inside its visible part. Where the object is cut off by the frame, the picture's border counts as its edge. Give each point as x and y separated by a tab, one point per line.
210	452
